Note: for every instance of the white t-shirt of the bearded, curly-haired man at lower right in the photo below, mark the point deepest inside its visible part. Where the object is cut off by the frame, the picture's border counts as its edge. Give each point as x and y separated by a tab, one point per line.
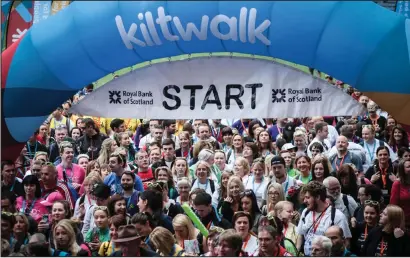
309	228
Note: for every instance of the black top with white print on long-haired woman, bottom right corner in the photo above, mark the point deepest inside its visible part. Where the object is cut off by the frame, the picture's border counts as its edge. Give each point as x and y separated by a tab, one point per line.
395	246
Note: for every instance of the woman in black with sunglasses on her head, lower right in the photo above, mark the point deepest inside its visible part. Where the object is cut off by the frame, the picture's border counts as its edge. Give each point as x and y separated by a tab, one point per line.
360	230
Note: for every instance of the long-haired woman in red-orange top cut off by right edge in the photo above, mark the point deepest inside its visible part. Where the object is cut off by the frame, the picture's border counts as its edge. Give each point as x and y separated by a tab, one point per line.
400	193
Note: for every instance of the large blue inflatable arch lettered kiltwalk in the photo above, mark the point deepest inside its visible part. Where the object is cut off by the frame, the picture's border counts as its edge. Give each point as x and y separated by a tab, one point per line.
359	43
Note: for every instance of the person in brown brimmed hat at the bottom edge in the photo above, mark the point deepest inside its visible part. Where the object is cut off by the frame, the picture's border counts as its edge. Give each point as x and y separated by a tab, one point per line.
129	241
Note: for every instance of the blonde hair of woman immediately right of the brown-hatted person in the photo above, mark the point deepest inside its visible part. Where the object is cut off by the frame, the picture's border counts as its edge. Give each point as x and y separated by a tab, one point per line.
162	240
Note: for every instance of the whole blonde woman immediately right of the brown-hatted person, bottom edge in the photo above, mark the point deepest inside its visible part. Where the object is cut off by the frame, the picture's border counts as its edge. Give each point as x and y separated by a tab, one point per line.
164	243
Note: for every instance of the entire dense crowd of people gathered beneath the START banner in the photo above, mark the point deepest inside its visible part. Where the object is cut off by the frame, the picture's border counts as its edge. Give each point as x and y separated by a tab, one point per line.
313	186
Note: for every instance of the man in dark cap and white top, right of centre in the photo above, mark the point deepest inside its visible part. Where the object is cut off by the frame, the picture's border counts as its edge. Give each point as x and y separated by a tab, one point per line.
278	167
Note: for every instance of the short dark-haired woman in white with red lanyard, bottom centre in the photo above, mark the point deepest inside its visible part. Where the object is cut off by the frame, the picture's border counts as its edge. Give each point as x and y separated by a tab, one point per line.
242	222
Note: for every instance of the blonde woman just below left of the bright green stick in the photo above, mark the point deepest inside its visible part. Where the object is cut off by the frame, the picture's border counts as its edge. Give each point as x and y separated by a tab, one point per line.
185	231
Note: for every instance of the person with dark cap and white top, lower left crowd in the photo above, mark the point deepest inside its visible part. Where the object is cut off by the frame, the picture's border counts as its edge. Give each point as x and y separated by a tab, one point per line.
101	193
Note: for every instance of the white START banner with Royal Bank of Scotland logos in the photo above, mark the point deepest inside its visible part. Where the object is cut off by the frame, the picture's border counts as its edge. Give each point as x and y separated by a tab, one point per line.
217	87
